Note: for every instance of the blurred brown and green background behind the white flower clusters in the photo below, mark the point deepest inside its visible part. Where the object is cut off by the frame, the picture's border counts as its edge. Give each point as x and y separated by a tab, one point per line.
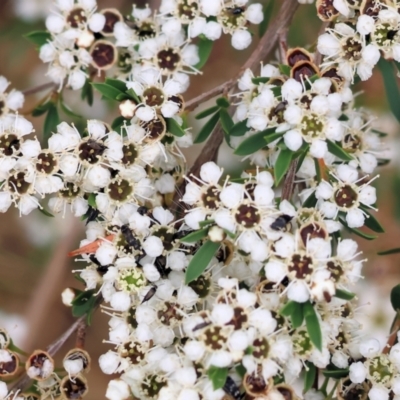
34	268
